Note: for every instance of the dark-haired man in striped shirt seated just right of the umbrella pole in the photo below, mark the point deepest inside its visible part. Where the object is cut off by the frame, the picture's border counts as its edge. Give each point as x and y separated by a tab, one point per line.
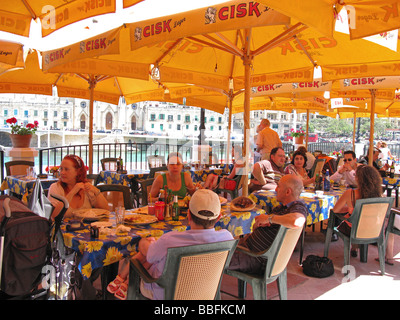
267	173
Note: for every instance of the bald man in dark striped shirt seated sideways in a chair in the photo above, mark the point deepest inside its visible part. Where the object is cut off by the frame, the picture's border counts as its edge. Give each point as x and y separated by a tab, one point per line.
291	213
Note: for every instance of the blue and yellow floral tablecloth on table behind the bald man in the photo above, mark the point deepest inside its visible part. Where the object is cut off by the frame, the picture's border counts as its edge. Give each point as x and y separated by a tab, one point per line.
318	208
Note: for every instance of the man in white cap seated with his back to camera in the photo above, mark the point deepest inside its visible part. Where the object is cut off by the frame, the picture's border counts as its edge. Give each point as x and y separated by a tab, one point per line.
204	212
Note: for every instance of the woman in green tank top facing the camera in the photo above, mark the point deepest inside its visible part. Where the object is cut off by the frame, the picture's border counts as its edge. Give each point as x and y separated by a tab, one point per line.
180	183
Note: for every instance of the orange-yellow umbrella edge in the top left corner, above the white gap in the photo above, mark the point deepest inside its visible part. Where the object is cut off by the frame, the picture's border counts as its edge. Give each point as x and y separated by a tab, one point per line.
16	15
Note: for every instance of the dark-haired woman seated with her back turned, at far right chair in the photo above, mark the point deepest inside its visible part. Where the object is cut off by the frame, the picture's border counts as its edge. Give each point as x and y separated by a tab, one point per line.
369	184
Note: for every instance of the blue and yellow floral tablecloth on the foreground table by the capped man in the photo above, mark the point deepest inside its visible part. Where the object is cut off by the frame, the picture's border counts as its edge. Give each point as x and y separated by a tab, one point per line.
110	248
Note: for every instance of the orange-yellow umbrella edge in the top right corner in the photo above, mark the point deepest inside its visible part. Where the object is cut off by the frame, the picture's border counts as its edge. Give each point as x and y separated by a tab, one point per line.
366	17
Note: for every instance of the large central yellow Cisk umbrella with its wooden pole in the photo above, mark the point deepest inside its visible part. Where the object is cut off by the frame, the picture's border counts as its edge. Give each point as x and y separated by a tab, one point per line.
235	45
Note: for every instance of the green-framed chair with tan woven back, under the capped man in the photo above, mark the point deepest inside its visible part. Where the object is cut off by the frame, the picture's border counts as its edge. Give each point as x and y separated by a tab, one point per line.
190	272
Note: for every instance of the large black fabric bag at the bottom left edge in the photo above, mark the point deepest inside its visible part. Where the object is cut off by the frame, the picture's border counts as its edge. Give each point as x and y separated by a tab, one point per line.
26	248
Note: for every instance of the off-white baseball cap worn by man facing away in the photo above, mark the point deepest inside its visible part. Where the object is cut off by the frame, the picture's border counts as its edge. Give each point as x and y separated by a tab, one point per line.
204	199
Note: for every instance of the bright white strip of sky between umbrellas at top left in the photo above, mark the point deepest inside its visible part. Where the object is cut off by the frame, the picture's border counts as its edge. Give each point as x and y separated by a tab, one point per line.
144	10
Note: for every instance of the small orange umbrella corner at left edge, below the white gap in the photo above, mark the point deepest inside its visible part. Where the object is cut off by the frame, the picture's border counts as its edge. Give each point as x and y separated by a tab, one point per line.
11	55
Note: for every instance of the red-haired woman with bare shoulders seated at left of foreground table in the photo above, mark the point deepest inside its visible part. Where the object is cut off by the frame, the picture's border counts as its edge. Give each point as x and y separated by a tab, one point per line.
74	186
